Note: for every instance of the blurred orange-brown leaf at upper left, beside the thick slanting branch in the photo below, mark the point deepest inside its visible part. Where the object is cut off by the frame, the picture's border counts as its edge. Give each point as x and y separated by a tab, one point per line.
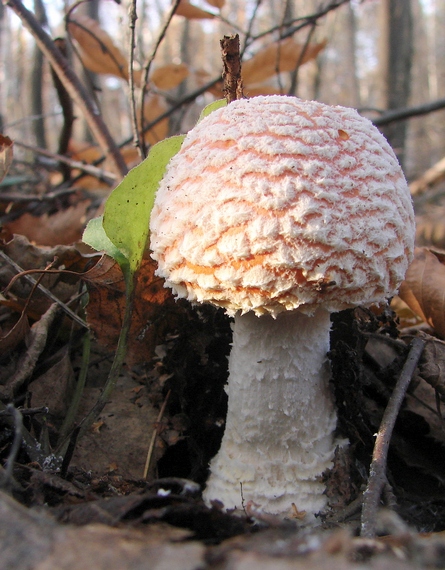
97	49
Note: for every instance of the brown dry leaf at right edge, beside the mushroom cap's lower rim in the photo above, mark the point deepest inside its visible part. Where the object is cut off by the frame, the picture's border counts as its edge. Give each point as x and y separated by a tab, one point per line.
424	288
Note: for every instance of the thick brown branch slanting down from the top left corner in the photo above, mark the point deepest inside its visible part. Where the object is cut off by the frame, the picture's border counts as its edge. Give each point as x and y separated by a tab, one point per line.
72	84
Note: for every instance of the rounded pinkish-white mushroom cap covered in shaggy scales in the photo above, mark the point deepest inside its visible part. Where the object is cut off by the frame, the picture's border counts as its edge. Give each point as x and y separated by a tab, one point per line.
275	203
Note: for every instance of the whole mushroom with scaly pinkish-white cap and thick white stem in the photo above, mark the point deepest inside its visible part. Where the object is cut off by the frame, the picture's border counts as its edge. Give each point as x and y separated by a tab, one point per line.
281	211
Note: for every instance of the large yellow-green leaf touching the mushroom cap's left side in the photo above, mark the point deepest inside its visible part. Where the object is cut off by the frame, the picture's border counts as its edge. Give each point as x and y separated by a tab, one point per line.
128	208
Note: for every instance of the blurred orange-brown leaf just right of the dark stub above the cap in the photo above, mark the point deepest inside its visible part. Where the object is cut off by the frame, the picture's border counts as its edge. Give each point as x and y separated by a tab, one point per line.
276	58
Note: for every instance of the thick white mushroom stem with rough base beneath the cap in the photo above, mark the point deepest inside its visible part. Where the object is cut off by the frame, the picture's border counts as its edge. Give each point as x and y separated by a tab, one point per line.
278	439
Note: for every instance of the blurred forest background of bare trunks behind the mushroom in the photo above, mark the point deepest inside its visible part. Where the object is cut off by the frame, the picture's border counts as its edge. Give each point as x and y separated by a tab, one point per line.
375	55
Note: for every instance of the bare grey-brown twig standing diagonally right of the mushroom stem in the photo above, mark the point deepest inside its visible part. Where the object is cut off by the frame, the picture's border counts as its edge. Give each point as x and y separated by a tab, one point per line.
377	470
